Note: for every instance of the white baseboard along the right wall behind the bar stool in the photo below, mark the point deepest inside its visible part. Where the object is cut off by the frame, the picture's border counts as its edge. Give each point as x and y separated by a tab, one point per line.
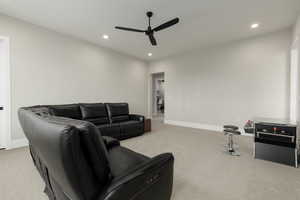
209	127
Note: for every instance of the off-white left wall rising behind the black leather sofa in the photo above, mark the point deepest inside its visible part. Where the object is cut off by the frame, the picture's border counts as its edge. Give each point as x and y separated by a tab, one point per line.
50	68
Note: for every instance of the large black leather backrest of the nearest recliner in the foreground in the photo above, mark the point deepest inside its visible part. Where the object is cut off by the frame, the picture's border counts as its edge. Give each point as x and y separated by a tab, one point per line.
71	152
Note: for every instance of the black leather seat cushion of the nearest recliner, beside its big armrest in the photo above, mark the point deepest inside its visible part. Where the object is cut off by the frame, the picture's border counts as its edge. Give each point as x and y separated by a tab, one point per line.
122	160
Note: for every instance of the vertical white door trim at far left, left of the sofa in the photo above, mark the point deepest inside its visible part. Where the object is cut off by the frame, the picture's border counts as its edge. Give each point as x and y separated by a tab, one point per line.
7	103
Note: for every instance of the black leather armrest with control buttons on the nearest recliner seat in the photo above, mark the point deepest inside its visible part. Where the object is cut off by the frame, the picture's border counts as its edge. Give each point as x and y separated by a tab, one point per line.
150	180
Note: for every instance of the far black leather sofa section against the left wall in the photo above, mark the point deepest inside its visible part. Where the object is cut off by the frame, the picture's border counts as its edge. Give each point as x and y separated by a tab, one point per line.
112	119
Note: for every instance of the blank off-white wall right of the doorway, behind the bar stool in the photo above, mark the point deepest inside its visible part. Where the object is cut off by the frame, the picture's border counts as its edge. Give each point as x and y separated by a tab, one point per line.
228	84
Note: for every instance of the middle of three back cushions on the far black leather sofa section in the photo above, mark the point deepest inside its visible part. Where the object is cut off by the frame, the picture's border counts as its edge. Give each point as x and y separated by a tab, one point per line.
93	110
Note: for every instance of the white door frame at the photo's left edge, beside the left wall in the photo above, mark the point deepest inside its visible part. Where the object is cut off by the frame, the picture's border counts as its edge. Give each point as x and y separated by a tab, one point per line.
6	137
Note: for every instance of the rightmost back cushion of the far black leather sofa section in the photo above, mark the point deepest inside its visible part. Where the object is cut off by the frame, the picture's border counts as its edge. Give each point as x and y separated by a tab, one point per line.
118	112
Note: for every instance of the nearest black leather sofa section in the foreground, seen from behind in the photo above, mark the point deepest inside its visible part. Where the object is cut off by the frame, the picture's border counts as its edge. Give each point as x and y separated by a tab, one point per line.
77	163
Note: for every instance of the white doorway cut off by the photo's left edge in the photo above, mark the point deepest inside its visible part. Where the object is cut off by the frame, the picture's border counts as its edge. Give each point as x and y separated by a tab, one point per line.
4	93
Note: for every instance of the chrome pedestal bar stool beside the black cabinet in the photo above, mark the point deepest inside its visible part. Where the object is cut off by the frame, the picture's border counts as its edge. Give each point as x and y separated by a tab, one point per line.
230	131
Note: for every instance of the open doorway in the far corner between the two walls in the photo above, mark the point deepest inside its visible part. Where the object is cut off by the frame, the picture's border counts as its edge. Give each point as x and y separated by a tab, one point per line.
158	96
